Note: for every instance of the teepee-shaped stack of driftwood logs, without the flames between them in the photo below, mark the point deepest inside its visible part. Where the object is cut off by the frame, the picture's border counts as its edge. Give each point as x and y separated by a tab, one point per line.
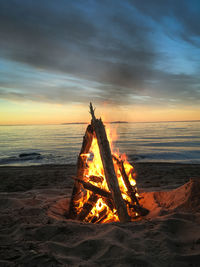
113	197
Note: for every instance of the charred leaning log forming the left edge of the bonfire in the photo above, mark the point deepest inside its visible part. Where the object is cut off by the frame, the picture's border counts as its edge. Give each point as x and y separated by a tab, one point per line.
81	164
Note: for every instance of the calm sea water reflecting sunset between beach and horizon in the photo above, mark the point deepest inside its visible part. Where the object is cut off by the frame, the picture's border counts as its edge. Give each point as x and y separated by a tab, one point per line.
60	144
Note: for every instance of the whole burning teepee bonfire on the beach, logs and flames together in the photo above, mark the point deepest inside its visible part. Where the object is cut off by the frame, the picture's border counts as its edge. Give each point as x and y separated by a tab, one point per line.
105	187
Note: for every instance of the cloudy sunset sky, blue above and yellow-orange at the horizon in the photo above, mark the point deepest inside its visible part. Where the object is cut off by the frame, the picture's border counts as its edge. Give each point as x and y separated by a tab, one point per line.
134	60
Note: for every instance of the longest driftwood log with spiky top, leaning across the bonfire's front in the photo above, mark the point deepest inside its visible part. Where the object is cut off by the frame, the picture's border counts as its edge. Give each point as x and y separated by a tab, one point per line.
108	166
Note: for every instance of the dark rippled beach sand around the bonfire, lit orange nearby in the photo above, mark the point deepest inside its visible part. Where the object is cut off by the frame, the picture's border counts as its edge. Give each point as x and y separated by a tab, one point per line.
34	231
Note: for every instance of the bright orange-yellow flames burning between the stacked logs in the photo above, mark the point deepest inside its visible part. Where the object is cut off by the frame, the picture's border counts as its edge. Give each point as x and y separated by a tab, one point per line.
103	210
